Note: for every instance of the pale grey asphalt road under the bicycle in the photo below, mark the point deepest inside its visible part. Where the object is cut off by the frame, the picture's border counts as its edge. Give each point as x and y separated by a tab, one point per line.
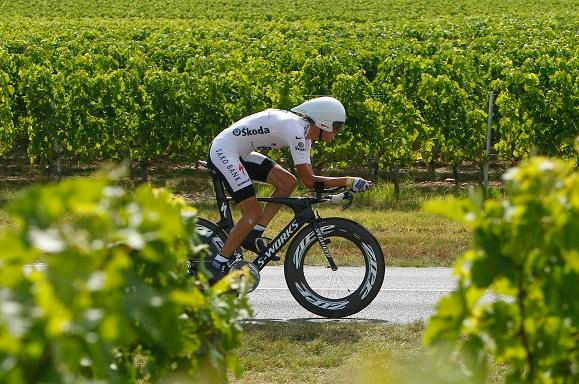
407	295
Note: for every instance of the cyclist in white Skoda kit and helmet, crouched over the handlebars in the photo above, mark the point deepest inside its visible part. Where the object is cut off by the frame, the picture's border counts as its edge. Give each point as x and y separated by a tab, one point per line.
233	155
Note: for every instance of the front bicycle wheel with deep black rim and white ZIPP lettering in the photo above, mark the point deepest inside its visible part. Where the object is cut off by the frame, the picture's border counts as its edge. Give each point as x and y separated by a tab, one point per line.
334	293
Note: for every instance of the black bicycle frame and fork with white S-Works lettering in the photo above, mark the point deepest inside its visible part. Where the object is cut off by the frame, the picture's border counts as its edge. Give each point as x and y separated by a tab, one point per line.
302	207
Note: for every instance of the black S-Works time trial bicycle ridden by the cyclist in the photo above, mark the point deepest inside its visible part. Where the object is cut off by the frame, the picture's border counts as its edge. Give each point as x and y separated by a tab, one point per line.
333	267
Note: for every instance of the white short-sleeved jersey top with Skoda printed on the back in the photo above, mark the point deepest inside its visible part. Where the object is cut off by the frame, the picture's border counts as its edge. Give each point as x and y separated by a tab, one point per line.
270	129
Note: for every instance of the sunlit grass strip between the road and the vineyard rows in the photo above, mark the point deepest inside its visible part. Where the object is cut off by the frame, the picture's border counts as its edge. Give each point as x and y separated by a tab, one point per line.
408	237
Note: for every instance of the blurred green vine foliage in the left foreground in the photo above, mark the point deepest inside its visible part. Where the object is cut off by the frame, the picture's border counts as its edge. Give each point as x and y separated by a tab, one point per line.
113	303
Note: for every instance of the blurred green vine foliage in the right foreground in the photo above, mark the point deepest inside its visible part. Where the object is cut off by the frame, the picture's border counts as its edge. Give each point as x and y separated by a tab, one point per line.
525	261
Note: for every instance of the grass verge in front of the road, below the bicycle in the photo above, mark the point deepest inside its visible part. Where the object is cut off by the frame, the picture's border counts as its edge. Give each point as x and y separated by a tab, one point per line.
343	352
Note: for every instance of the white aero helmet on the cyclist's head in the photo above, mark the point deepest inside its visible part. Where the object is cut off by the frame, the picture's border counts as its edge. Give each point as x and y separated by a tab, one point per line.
324	111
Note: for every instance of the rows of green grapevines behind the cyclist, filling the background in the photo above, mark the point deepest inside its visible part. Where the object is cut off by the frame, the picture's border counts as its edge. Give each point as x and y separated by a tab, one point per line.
146	80
